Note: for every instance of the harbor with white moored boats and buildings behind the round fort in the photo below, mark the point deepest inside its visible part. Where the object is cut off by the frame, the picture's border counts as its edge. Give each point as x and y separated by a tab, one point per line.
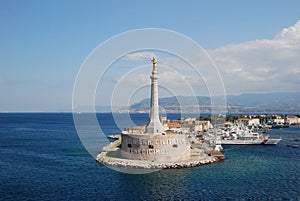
229	133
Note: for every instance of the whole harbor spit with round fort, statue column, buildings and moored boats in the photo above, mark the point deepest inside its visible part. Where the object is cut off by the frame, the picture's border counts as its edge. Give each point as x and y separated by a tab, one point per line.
188	141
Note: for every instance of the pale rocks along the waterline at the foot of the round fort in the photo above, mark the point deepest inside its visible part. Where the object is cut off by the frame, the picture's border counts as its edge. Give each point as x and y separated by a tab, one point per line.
116	161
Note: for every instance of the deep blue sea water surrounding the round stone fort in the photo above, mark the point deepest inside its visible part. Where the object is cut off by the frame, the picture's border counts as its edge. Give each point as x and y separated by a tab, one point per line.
42	158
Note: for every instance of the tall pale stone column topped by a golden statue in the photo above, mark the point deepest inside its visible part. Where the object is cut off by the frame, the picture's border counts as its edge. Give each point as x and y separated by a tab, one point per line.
154	126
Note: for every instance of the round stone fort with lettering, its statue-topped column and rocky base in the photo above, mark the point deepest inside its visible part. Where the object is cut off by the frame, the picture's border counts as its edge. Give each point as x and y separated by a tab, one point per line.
154	146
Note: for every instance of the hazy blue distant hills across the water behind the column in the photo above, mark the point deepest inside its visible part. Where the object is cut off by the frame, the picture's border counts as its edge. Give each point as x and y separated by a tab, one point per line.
267	102
